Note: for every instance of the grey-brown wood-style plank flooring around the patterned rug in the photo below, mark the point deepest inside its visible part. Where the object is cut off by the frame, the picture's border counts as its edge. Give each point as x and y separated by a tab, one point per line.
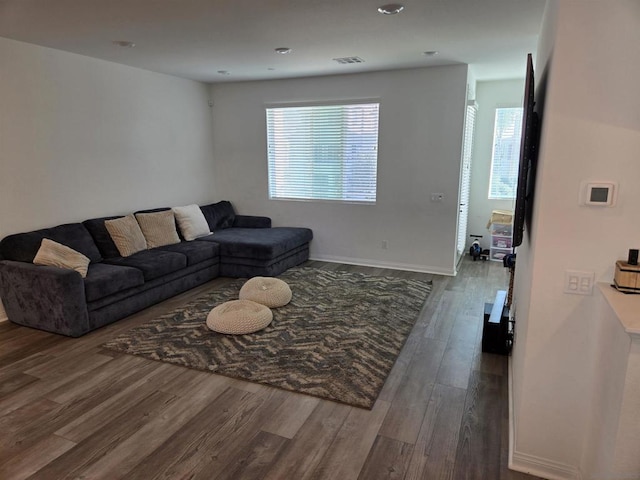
71	410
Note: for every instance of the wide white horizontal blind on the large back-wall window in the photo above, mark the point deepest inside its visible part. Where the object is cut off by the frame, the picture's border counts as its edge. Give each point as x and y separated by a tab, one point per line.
323	152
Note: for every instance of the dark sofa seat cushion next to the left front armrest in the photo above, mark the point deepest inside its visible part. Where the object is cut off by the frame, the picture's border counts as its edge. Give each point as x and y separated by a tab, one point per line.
103	280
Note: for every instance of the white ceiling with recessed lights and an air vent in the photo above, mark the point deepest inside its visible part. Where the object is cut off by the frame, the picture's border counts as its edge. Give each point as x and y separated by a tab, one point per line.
199	39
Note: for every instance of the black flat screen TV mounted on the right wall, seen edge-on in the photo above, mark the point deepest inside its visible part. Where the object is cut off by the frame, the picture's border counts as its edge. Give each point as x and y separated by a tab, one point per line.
528	159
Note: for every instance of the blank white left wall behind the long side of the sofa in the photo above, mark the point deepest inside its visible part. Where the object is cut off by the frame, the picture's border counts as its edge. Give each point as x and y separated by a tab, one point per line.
82	137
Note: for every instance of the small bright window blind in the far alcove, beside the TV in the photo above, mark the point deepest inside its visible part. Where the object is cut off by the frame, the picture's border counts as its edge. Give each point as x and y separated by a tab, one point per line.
506	153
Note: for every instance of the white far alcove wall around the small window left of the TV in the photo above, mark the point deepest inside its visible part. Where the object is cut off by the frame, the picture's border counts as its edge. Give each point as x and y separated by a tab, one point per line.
489	96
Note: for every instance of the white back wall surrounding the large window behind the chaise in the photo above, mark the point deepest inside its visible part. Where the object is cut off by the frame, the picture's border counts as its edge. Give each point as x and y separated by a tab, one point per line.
420	139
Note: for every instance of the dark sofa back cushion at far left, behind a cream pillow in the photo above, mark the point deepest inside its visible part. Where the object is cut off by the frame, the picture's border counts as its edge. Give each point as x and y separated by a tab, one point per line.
22	247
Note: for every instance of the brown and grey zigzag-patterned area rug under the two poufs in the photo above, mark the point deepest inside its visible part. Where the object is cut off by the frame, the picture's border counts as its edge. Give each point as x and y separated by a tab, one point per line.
337	339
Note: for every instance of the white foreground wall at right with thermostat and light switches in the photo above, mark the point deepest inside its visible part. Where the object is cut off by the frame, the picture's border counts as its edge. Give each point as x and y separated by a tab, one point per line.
591	131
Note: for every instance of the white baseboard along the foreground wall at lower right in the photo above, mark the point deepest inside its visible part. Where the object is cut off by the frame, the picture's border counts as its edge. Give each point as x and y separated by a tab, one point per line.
531	464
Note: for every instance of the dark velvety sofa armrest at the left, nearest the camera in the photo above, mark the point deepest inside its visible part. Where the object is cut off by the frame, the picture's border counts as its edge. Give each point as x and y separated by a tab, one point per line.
48	298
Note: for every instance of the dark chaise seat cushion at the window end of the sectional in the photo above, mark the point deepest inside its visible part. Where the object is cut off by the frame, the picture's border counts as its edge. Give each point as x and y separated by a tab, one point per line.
259	243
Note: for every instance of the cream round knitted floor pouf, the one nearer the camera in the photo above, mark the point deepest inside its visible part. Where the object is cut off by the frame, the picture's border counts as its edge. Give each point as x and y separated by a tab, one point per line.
238	317
